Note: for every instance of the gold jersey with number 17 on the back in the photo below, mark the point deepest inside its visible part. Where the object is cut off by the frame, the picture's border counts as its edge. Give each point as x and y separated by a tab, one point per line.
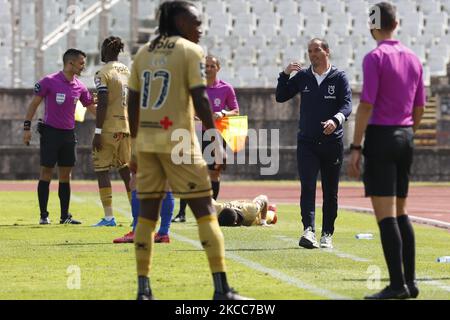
164	77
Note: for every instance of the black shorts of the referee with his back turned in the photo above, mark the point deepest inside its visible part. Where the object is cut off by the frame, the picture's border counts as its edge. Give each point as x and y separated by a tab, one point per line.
388	155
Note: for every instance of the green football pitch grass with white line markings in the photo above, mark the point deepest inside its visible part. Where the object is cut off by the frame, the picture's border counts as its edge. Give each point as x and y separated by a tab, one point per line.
42	262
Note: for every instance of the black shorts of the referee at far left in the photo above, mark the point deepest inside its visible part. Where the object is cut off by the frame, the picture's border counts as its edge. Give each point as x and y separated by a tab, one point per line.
57	147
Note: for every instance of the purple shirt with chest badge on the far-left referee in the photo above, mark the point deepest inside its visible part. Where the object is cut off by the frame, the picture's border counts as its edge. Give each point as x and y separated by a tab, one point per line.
61	97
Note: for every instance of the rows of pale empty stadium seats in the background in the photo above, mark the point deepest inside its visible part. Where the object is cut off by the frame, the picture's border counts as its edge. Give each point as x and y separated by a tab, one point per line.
264	34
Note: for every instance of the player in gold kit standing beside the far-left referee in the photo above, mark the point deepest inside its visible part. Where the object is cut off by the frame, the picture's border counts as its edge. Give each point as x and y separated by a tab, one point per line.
111	143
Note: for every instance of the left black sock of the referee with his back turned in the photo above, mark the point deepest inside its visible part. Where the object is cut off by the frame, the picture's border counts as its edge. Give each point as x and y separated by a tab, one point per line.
392	247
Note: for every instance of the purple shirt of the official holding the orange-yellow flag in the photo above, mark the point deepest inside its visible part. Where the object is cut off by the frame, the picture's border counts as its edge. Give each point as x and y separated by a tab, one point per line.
221	96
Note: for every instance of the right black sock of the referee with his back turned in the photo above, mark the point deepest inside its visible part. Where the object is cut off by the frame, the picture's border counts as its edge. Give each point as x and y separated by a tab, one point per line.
409	247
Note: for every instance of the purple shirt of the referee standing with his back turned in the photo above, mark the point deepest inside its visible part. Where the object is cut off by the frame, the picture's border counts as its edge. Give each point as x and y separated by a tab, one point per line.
393	84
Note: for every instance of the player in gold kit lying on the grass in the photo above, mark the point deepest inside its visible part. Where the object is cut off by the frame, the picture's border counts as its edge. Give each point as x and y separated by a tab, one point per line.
246	212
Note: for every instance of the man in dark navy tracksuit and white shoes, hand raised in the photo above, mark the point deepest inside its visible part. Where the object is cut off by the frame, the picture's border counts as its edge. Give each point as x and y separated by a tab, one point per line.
326	102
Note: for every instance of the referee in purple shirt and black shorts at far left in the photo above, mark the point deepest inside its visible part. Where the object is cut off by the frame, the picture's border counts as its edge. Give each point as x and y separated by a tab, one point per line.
61	92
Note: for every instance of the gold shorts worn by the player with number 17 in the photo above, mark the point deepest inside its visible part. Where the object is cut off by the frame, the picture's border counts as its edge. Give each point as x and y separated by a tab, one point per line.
187	181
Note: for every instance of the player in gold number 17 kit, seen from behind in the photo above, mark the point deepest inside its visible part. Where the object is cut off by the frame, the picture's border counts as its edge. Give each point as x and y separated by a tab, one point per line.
167	83
